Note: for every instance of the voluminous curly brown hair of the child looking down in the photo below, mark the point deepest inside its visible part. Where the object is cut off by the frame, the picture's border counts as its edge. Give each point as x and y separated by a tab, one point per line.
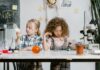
57	21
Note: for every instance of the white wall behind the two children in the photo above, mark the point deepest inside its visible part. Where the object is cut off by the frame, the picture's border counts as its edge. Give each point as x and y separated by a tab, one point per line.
74	16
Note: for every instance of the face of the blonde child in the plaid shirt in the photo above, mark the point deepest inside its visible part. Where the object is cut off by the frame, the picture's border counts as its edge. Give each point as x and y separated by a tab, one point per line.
31	28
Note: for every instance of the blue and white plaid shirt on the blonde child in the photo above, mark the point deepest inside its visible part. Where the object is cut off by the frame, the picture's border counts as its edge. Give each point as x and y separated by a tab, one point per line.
26	41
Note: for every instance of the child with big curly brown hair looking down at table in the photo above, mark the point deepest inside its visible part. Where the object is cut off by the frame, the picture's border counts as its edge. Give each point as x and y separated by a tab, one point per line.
56	38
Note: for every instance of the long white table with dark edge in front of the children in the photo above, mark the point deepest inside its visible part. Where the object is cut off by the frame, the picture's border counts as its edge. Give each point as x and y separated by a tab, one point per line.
49	56
